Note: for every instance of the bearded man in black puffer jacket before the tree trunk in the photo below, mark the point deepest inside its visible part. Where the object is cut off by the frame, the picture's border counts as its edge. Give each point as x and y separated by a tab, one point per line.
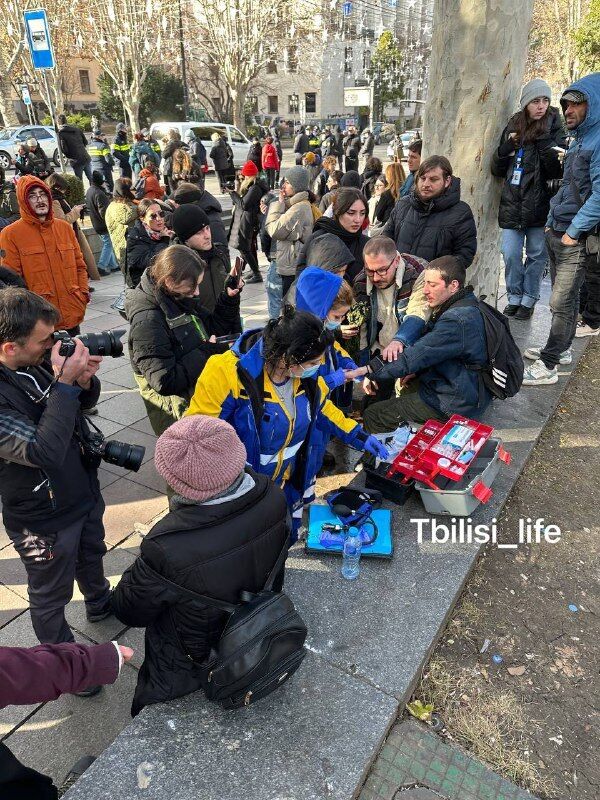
433	221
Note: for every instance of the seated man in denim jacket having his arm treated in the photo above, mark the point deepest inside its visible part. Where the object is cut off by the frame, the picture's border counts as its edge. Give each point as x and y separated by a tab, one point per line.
436	380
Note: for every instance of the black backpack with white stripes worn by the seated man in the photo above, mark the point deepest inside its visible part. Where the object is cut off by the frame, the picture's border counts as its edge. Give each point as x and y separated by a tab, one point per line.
503	374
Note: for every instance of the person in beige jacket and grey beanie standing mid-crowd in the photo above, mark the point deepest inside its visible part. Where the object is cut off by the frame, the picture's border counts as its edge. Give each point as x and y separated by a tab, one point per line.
290	222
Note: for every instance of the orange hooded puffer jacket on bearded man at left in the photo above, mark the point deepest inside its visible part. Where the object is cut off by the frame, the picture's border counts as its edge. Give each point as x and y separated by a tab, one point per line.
47	256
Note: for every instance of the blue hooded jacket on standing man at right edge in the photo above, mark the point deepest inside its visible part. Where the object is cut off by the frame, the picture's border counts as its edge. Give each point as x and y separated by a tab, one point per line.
581	169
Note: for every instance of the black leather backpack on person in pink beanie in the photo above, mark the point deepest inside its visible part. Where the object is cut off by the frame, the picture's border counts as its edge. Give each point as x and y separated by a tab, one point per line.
261	647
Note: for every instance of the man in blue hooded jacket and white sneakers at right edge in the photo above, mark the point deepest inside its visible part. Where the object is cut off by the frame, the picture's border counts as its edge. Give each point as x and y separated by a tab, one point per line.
571	236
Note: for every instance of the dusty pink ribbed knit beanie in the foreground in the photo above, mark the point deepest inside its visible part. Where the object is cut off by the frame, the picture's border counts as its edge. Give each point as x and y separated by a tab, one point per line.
199	457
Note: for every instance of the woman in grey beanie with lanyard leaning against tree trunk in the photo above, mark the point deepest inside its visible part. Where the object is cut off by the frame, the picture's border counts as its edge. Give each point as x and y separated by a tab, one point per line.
527	158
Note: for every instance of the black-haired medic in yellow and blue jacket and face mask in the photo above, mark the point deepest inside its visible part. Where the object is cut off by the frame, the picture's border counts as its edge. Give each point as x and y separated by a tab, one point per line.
268	389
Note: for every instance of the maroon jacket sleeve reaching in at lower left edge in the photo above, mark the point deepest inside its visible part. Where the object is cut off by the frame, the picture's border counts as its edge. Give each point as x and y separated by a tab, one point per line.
37	674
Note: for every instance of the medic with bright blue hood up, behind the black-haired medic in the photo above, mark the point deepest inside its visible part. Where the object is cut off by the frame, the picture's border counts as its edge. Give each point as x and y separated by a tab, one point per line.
329	297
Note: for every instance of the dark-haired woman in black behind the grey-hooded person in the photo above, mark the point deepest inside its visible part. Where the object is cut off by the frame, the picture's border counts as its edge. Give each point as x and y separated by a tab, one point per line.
350	210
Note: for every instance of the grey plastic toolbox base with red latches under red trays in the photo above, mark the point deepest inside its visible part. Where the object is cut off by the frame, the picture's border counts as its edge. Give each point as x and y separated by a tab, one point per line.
461	498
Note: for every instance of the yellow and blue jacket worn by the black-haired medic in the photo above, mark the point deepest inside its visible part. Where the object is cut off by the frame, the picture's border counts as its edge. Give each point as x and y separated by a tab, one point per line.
235	387
